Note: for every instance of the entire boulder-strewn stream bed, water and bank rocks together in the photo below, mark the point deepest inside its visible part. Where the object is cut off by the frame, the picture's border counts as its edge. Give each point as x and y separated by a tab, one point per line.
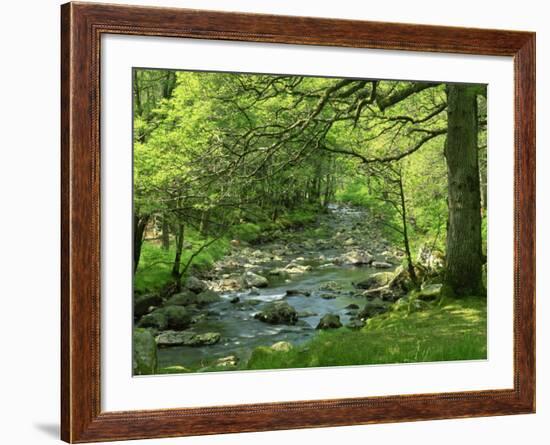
277	296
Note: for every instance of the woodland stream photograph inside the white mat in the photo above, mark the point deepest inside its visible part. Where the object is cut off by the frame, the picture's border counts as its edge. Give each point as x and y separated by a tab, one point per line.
284	221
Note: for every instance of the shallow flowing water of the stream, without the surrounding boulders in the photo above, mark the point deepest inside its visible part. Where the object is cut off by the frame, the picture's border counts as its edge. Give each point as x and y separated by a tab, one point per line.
241	332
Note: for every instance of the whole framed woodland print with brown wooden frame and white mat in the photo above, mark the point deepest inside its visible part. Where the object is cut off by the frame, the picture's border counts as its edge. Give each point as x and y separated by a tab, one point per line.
274	222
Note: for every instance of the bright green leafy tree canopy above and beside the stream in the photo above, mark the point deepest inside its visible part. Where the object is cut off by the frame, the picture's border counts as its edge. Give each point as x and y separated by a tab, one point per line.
240	156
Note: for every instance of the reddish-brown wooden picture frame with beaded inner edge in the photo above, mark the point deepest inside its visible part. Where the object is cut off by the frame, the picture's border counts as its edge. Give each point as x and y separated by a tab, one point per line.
82	25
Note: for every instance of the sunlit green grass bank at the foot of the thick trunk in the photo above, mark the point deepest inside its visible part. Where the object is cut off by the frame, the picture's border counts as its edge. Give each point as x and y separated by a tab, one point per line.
455	331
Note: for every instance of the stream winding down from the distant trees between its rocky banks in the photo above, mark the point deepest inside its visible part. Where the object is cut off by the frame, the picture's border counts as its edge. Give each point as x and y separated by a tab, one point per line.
342	230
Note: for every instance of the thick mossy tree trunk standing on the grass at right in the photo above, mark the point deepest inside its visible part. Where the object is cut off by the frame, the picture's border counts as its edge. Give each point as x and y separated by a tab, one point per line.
464	255
